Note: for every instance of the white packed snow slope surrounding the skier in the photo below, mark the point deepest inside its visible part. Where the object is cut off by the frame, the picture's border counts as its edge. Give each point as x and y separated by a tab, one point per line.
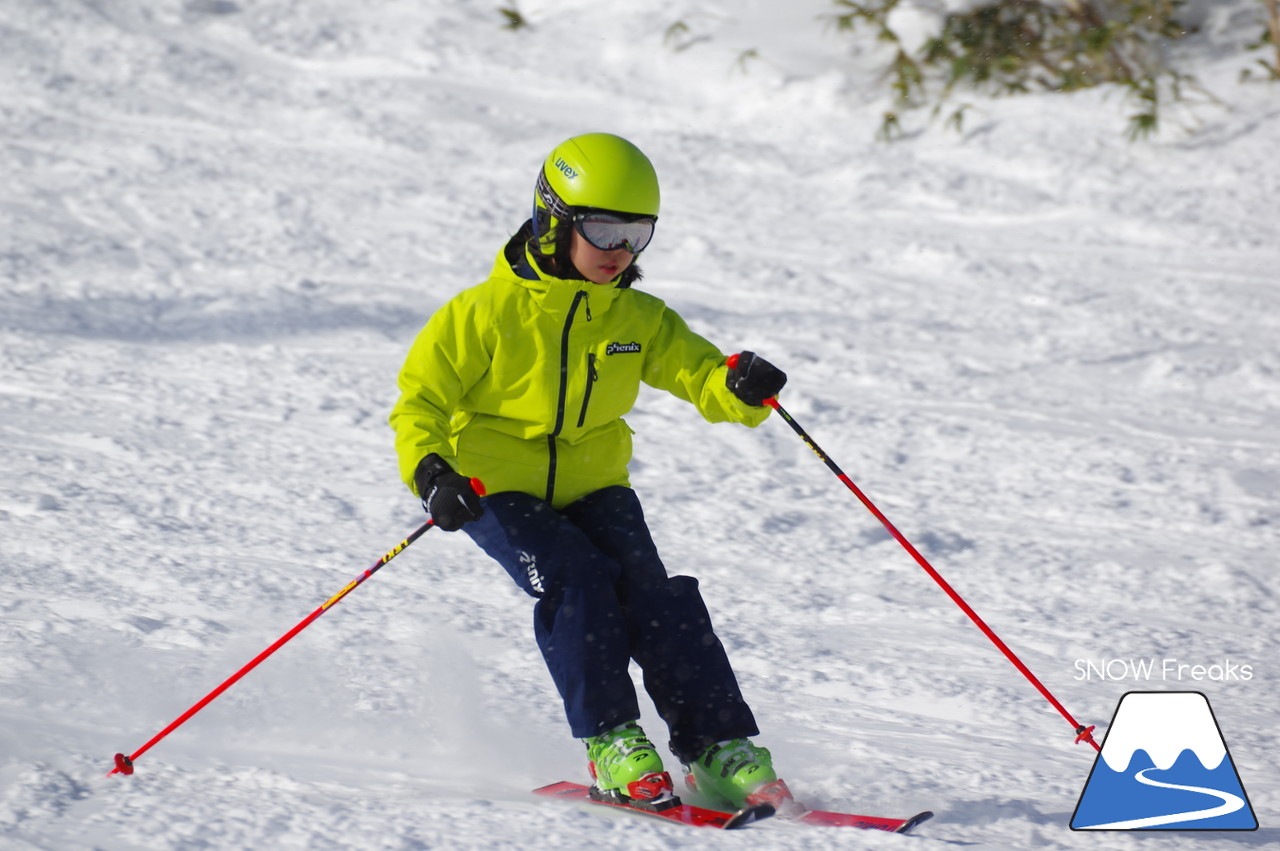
1052	356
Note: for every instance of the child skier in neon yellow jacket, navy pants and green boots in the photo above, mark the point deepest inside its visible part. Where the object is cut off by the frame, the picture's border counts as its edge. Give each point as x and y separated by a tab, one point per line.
522	382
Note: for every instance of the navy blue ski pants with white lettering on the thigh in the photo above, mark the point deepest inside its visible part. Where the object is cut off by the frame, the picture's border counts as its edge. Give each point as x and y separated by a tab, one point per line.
604	600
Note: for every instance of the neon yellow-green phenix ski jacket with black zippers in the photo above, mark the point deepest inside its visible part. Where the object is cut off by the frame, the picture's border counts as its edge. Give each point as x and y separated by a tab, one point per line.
524	379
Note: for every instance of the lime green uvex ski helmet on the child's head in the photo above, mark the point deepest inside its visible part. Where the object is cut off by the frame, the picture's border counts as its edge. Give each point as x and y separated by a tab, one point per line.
597	171
